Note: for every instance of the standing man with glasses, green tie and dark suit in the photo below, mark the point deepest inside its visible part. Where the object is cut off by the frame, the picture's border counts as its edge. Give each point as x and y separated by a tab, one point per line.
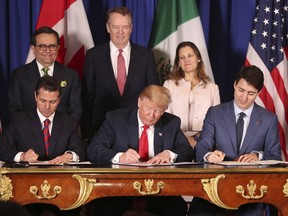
45	45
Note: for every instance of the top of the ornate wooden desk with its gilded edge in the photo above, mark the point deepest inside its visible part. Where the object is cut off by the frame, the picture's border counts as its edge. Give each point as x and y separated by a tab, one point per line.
101	169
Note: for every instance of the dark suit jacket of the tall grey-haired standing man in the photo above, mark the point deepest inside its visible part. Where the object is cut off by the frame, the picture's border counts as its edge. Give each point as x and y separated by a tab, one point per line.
101	93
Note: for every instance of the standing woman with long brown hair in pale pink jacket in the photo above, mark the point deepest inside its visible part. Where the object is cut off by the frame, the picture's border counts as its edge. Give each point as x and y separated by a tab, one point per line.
192	91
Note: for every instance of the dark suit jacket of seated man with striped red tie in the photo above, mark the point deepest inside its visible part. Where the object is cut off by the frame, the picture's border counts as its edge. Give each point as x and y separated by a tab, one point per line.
25	132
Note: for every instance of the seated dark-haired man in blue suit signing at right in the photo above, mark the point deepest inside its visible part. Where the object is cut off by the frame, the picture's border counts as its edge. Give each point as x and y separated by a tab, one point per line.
218	140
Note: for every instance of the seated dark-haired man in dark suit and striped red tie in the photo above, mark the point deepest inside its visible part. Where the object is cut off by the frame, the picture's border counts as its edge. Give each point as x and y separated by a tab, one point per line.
24	139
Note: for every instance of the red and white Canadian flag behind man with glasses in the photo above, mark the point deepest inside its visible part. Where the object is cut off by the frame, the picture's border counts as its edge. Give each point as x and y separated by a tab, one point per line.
68	18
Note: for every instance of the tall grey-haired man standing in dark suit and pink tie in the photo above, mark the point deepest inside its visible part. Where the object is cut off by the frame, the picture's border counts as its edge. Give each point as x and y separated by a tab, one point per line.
102	94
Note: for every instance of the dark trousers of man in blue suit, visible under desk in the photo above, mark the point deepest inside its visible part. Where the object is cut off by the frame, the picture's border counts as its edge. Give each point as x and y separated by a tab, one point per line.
202	207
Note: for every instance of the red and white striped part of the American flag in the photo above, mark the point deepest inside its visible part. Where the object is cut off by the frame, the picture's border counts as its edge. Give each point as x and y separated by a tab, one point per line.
274	95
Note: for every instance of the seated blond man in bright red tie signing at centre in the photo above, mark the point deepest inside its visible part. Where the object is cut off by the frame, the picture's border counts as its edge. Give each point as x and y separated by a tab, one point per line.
119	140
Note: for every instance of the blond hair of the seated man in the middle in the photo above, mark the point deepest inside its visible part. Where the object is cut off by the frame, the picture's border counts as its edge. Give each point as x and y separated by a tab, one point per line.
159	95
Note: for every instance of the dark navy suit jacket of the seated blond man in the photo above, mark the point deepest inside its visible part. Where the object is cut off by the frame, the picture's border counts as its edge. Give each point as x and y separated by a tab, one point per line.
120	130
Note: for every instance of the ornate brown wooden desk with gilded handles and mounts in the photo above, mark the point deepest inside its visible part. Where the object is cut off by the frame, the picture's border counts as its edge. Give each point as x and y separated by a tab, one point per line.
69	187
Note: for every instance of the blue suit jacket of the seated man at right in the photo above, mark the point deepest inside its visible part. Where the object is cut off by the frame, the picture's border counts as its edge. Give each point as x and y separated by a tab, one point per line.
219	132
